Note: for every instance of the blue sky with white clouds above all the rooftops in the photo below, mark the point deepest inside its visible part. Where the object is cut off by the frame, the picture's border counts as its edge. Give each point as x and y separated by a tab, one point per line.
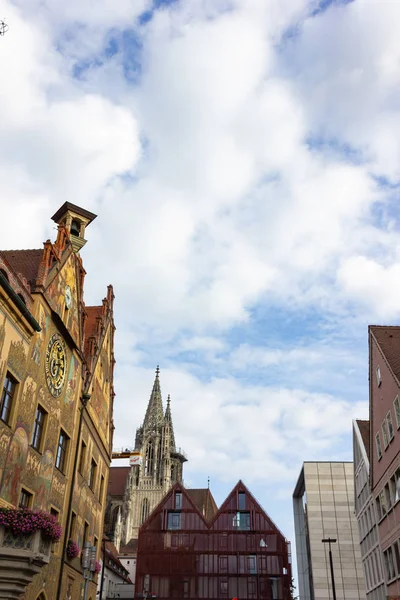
243	158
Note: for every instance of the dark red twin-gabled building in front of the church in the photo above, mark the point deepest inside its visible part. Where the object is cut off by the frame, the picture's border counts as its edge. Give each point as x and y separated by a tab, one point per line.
239	553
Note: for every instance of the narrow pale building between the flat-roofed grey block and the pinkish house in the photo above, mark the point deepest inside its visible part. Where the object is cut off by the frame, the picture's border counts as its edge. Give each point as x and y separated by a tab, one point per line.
366	516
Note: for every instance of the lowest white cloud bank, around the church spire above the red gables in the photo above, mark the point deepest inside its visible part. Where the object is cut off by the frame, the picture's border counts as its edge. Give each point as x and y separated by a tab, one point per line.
229	429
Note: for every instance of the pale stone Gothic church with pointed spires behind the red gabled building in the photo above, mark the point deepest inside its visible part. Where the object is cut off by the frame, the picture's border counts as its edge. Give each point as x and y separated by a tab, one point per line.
156	463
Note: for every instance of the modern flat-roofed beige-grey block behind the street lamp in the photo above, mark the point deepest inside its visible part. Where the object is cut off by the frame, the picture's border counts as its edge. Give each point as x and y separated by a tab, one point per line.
323	503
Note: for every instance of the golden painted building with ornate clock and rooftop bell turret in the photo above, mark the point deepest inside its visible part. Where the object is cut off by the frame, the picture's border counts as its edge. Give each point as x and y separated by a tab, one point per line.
56	386
